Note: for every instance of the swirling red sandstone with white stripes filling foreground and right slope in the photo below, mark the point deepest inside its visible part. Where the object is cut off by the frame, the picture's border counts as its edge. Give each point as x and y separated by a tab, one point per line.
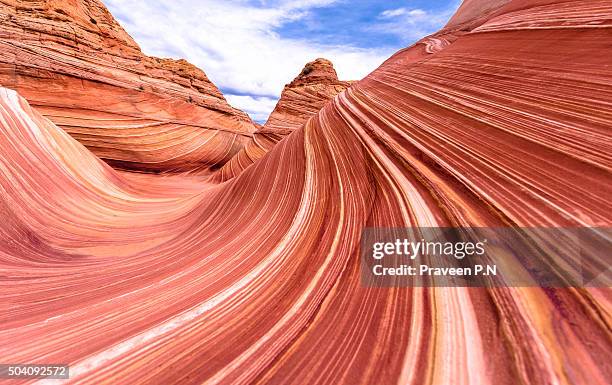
176	280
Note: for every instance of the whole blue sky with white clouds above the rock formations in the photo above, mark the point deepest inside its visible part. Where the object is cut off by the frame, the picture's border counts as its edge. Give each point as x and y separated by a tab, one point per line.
251	48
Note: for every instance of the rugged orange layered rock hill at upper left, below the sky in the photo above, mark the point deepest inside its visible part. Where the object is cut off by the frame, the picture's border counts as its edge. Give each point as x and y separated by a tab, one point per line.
78	67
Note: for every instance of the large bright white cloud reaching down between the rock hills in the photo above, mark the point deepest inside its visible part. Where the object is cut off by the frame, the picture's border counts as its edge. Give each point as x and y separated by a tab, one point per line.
237	45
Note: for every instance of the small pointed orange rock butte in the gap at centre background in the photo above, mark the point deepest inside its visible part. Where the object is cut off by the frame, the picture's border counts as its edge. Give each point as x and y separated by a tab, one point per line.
301	99
